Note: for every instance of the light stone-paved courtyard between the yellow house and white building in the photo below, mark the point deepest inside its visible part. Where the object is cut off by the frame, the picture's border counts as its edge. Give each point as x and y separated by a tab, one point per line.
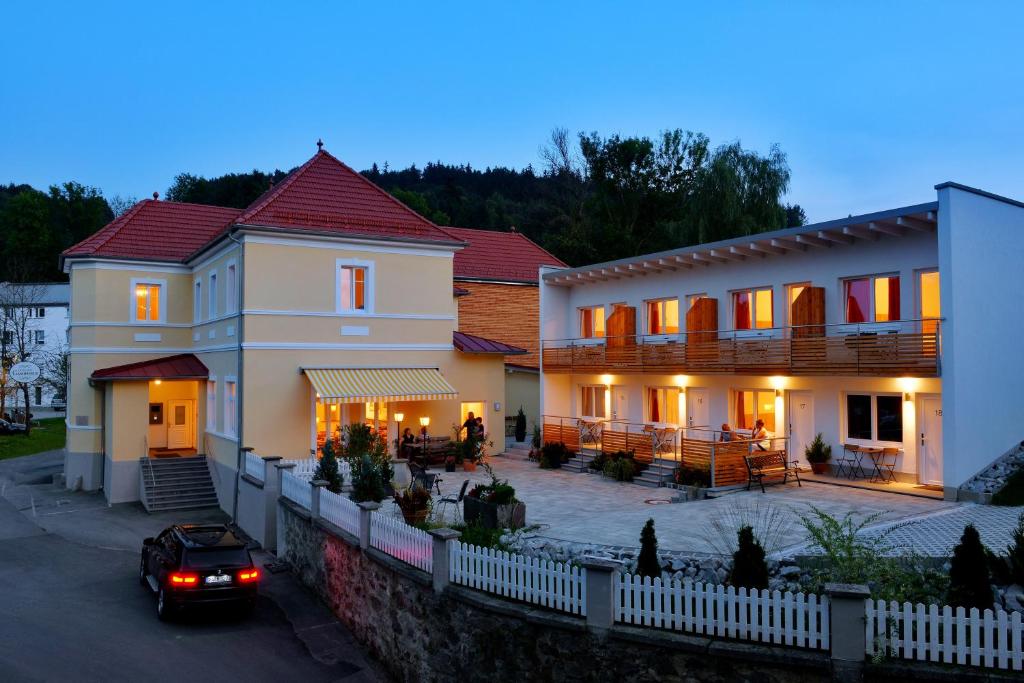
589	508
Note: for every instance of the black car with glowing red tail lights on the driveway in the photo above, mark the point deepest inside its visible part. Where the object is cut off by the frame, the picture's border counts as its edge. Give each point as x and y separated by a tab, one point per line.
191	565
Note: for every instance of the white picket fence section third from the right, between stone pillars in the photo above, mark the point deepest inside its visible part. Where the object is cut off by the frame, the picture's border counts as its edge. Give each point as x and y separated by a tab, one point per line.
539	582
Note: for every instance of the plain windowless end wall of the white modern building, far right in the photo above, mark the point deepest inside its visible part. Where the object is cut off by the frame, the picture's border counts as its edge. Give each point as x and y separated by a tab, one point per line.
982	255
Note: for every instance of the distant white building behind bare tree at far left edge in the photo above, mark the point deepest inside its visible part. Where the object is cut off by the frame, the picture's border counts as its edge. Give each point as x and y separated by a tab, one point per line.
44	310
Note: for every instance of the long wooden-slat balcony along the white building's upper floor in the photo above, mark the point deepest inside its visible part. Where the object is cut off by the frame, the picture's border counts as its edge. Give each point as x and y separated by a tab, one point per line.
877	350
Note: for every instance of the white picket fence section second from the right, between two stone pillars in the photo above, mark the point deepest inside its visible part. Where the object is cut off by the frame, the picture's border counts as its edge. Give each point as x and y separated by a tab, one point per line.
769	617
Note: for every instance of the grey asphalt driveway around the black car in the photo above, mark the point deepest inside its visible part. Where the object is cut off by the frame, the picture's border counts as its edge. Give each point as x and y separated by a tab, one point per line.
72	608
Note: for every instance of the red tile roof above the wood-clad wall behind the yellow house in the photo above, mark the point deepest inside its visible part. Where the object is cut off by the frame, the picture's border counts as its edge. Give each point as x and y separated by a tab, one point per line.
499	257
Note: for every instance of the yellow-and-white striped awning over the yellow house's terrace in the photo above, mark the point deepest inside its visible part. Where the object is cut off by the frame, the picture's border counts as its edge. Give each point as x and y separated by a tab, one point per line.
355	386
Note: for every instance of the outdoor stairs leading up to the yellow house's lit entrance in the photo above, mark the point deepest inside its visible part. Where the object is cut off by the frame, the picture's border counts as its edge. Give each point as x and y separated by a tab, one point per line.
177	484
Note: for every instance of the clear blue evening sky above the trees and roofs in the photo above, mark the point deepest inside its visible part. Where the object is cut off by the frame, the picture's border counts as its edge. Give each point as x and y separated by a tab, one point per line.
874	103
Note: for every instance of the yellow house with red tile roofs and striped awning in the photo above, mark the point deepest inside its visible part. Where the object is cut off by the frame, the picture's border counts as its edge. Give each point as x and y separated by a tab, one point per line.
201	331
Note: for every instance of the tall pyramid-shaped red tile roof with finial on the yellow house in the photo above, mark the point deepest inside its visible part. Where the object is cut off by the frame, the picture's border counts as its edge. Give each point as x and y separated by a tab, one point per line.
326	195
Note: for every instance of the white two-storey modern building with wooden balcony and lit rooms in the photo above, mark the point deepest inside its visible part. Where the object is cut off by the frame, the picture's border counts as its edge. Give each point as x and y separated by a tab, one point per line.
891	330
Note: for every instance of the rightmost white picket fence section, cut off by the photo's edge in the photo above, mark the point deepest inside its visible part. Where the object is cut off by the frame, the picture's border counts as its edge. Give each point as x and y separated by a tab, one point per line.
946	634
